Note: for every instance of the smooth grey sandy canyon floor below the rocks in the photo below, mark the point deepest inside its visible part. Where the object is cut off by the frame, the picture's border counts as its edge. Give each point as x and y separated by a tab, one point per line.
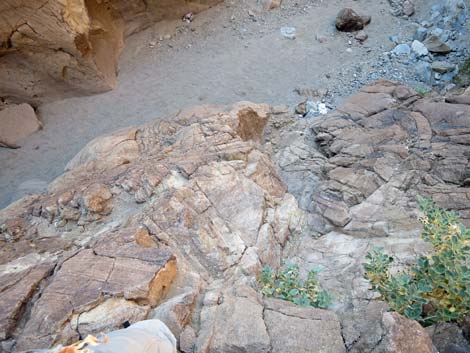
227	54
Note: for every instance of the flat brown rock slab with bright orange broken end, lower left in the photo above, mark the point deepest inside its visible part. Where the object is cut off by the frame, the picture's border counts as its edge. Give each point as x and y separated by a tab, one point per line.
81	285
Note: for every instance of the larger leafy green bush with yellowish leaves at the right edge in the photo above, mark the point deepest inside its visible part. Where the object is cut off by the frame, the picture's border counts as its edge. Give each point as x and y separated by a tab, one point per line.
437	287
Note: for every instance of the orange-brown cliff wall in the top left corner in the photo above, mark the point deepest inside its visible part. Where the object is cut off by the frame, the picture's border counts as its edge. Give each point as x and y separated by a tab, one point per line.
56	48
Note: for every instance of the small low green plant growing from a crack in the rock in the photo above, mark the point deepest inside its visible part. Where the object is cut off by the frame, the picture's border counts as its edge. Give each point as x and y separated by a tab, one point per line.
287	285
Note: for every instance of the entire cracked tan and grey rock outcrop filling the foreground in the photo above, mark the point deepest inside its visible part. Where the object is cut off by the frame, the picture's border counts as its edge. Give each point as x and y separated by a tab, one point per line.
202	188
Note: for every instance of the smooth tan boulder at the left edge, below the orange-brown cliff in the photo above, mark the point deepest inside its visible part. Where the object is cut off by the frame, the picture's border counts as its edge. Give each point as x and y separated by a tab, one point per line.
16	123
